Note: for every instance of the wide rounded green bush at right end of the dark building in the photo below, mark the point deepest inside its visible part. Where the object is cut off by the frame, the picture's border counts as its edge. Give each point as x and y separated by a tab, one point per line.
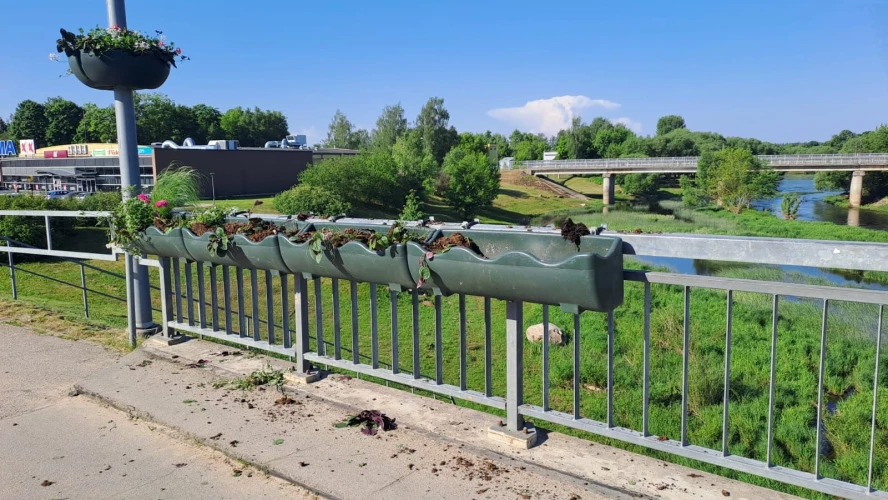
370	178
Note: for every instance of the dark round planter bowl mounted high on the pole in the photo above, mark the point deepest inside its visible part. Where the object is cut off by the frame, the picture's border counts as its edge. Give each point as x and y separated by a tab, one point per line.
118	69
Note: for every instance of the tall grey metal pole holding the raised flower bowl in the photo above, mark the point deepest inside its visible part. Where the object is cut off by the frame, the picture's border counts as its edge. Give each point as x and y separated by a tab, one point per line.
127	145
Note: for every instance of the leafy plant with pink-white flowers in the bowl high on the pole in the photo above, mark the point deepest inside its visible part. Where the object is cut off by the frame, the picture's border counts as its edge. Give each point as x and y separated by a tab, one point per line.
99	41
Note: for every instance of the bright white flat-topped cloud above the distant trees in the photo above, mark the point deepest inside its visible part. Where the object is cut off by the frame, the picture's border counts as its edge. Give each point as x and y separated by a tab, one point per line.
548	116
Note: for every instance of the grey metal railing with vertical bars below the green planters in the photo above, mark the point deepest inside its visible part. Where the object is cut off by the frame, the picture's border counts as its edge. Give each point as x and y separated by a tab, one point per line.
471	348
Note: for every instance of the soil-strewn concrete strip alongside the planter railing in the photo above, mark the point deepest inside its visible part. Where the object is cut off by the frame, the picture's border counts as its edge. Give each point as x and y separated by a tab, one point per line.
438	449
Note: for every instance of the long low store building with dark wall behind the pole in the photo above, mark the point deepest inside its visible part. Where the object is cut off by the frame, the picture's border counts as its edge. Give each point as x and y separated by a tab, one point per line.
225	172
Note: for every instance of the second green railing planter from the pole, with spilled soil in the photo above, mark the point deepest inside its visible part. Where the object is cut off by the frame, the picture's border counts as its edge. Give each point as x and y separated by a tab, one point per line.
241	252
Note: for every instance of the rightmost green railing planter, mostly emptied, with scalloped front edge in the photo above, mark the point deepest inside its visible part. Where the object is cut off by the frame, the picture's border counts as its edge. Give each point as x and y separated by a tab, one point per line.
540	268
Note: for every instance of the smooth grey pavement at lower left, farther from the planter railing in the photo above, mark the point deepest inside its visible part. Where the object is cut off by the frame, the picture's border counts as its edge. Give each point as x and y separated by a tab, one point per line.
56	446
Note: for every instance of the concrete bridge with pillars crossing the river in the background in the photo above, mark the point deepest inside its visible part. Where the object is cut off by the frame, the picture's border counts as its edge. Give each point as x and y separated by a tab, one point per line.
856	163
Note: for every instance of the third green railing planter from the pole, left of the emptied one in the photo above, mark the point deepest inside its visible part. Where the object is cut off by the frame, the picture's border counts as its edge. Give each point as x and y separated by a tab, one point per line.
352	261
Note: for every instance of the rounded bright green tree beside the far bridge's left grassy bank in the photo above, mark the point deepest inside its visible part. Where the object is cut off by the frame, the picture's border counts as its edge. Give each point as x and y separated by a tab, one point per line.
474	183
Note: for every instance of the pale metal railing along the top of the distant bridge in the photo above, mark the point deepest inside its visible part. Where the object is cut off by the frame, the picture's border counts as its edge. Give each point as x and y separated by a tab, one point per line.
688	164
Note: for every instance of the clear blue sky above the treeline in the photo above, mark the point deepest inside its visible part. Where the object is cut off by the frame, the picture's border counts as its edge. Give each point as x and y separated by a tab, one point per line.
781	71
